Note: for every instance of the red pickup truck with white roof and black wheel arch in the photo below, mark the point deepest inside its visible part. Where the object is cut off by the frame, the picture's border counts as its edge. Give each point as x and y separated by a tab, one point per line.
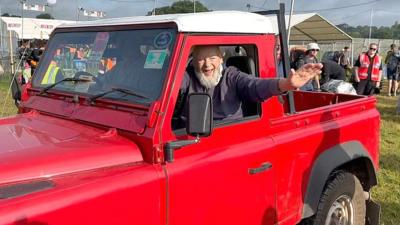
97	144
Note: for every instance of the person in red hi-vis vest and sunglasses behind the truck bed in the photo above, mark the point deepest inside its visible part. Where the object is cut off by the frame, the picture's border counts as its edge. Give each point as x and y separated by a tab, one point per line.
368	71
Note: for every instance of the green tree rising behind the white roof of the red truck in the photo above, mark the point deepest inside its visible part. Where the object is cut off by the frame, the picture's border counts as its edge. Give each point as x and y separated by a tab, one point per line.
185	6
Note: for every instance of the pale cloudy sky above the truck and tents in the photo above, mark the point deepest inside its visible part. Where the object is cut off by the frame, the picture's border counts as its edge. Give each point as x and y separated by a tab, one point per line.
352	12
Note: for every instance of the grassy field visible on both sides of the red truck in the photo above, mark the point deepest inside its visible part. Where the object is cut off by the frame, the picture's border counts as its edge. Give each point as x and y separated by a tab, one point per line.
388	191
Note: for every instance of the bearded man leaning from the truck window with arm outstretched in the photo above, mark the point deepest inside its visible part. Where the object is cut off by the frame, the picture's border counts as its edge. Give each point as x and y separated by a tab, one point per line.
229	87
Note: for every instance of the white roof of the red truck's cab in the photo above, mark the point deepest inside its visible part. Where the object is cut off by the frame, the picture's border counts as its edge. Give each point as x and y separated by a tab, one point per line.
213	22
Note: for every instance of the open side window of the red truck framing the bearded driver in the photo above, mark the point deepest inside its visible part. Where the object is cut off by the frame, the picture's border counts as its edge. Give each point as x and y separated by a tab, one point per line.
205	73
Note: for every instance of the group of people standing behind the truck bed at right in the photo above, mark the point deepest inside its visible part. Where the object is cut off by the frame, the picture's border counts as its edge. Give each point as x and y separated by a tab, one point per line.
366	75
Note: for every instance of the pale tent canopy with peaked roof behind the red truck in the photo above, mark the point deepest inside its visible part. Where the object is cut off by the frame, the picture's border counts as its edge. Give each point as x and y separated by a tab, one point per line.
311	27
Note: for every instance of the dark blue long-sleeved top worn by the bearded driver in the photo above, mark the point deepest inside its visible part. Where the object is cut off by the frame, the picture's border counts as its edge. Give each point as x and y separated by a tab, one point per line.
228	96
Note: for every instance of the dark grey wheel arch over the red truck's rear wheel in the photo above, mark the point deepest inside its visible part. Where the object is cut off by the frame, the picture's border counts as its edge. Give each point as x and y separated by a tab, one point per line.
349	156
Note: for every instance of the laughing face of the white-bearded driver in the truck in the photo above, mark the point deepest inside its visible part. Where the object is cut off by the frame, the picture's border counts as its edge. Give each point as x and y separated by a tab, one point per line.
207	60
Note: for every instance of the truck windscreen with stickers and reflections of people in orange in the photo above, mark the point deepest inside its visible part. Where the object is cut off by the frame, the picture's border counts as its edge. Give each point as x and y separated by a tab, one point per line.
133	60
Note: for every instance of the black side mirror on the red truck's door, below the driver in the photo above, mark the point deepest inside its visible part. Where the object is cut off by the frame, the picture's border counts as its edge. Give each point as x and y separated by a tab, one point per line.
200	118
